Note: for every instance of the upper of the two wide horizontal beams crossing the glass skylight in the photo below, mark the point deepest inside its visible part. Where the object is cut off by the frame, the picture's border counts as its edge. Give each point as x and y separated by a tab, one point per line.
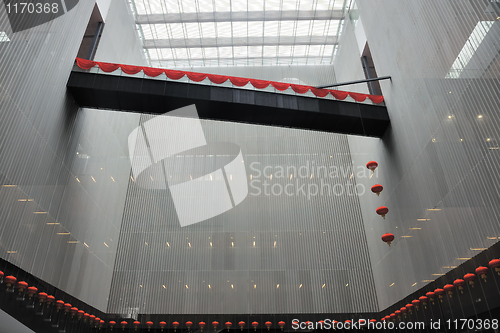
273	15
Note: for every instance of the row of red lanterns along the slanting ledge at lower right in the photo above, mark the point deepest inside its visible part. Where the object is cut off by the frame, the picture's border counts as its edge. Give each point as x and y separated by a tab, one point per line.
459	284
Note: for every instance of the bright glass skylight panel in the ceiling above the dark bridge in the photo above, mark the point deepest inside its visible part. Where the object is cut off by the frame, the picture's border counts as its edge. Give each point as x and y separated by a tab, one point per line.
238	33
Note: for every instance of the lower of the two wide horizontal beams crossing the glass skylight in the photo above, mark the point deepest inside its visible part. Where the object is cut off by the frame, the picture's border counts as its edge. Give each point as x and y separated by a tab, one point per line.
239	41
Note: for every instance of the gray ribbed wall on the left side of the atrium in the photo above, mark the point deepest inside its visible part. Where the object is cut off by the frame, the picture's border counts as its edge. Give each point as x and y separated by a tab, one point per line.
60	219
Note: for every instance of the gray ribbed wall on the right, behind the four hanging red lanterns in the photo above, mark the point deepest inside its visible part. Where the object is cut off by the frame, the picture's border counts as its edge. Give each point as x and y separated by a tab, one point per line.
437	154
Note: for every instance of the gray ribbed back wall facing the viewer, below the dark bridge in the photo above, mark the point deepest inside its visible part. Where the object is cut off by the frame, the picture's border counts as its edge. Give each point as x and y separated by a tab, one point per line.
319	241
